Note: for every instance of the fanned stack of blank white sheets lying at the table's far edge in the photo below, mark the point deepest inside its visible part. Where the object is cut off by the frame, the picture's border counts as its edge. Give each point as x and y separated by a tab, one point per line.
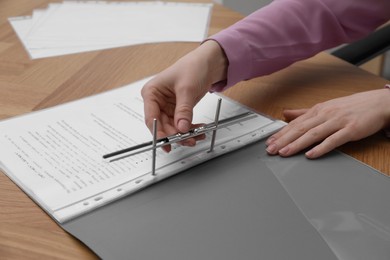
79	26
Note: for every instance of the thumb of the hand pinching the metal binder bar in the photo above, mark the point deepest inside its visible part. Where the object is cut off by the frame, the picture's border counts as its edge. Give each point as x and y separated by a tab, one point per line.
183	114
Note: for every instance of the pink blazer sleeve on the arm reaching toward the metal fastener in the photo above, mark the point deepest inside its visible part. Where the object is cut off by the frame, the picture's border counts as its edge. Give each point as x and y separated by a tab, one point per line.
286	31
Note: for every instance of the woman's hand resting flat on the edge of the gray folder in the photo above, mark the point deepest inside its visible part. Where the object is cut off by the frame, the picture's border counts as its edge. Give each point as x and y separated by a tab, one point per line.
332	123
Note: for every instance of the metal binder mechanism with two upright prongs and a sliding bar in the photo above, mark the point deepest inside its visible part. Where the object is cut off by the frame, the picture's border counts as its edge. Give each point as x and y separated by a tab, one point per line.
157	143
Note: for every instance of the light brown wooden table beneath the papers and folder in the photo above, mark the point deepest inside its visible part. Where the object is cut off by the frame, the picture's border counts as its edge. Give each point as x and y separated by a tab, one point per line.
26	232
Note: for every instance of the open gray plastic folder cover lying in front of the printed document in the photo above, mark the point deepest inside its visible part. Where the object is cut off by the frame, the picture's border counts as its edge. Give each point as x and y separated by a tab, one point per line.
247	205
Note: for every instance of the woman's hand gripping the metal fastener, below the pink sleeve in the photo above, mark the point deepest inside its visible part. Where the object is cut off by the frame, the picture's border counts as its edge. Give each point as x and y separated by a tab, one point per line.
171	96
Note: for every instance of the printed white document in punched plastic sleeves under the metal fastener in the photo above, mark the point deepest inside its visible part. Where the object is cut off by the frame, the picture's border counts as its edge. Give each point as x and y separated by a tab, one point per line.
55	155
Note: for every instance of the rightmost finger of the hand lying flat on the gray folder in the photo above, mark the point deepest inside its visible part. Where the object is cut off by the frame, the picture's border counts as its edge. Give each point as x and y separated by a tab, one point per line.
338	138
